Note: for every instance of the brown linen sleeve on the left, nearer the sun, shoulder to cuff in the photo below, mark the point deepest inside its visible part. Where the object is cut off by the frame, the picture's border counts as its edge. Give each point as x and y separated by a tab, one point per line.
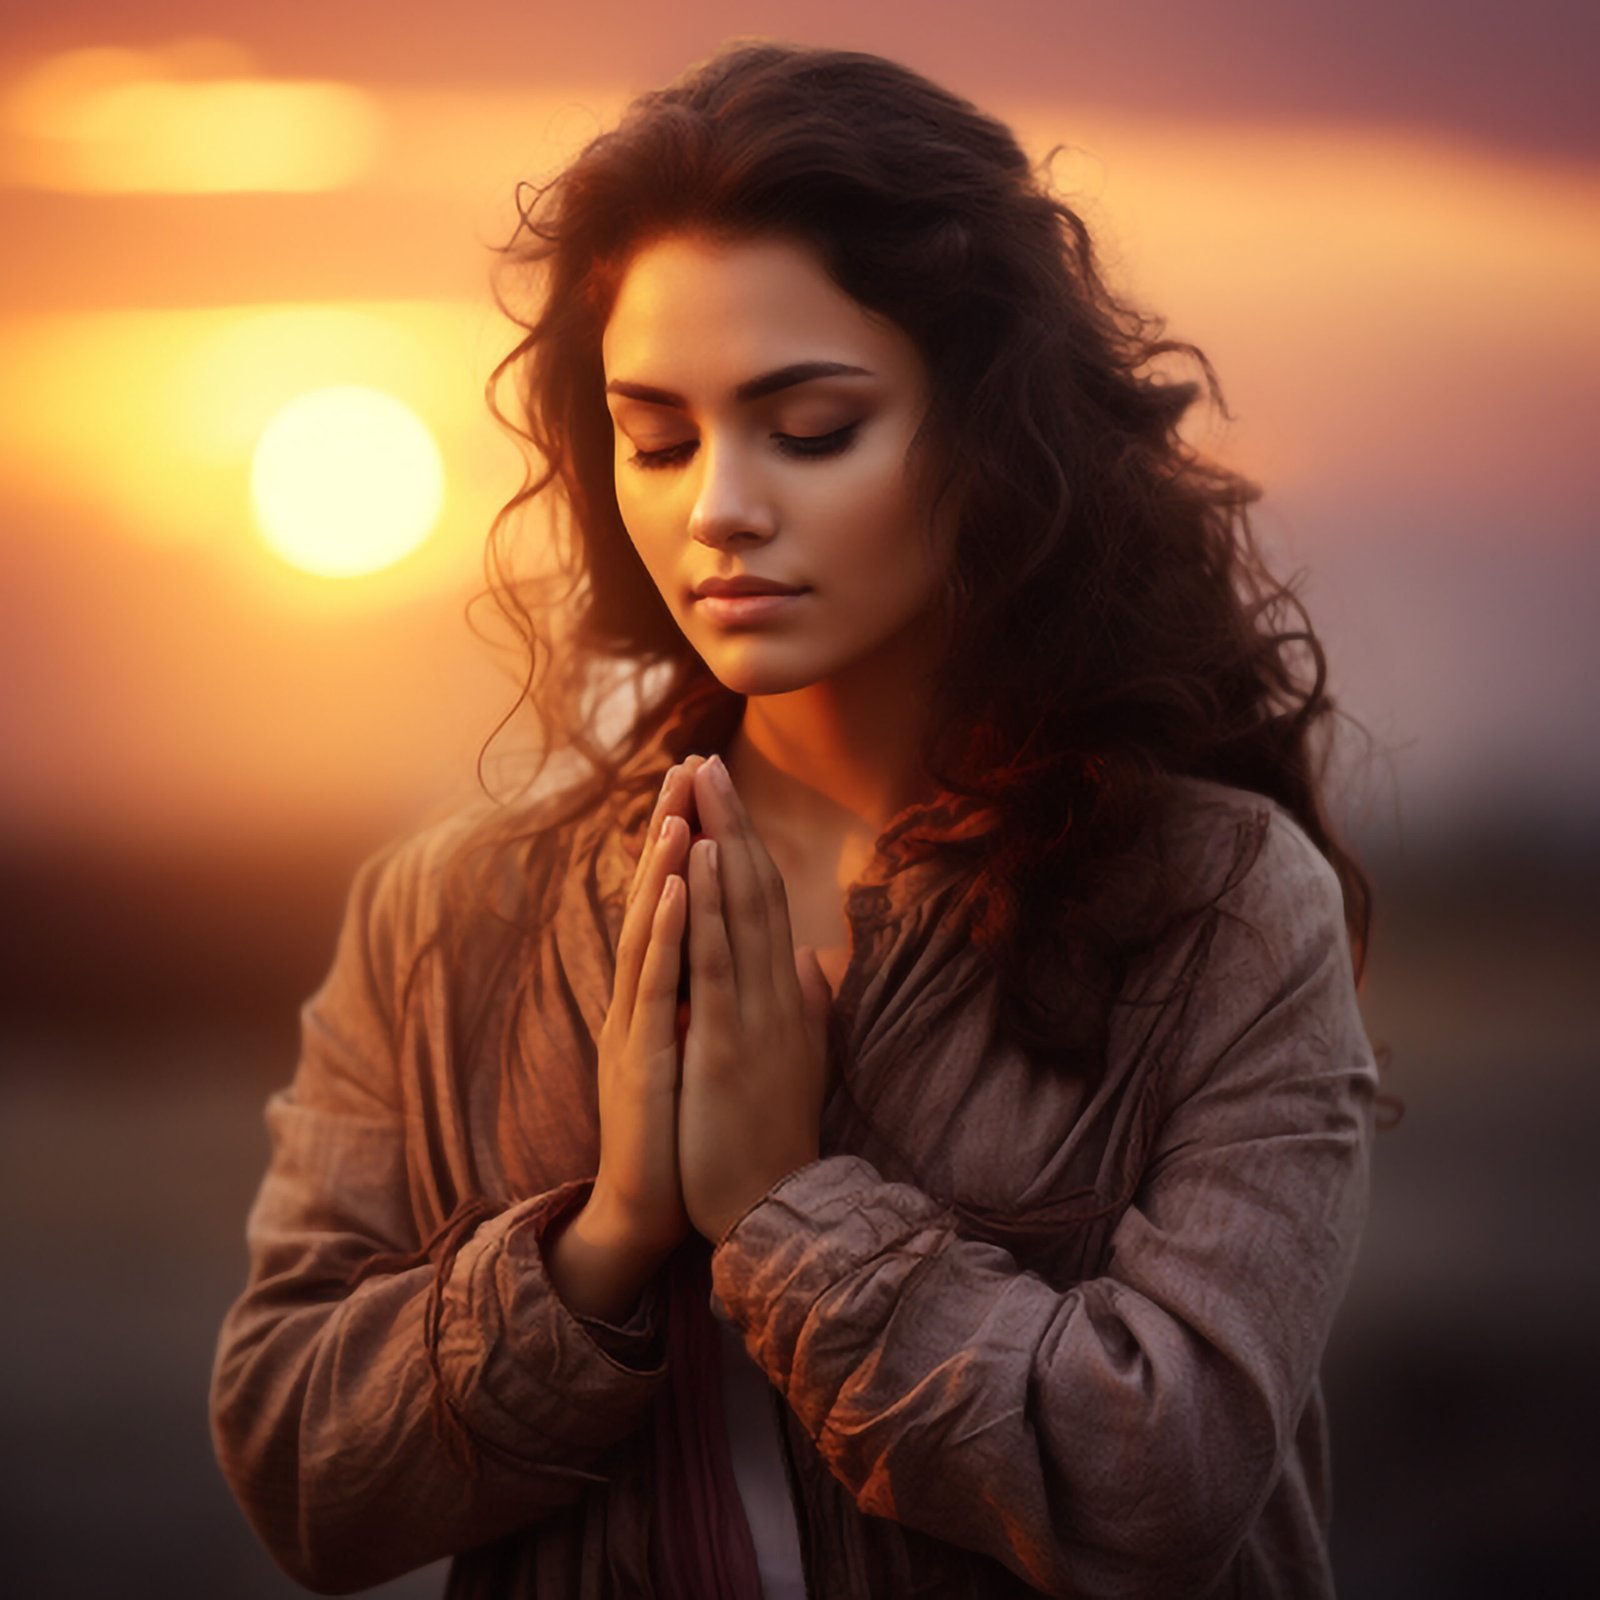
369	1430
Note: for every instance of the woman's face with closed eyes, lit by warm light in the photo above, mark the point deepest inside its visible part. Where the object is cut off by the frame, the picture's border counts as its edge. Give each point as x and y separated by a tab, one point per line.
732	462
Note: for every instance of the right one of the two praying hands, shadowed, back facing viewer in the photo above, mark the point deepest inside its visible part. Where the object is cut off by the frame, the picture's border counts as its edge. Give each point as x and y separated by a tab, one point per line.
756	1050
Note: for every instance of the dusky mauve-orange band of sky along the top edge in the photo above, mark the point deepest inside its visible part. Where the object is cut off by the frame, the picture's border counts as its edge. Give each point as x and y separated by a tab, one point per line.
1518	78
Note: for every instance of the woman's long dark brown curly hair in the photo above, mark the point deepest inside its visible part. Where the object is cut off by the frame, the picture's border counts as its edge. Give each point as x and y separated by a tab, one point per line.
1110	623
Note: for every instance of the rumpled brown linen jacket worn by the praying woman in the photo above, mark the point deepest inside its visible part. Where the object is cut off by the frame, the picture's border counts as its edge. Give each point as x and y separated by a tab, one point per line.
1116	1394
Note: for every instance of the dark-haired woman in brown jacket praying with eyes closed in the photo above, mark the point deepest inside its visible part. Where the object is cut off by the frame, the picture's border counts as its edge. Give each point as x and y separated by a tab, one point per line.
977	1225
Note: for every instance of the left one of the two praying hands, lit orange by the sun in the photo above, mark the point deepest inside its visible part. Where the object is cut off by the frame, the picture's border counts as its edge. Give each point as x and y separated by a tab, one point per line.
638	1198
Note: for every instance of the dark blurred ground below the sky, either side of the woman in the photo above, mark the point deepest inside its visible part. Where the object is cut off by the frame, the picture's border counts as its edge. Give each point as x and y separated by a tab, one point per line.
151	1007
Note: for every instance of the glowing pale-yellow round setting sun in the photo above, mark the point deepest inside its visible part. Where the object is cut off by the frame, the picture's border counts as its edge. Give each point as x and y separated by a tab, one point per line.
346	481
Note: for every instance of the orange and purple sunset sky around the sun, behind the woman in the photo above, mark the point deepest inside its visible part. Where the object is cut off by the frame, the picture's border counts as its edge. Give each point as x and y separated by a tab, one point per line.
1386	239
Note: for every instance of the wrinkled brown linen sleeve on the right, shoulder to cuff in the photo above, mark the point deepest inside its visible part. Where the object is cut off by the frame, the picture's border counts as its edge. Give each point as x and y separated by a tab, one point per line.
1121	1436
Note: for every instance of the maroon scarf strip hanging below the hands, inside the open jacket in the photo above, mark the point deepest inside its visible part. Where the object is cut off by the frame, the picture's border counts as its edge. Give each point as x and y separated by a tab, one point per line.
702	1546
